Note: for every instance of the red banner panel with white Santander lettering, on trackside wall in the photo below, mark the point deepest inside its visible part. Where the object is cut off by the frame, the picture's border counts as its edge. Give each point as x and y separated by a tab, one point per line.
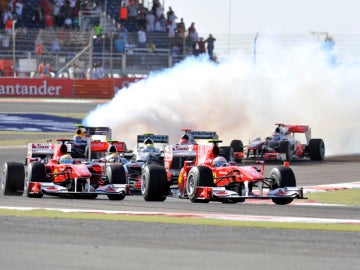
41	88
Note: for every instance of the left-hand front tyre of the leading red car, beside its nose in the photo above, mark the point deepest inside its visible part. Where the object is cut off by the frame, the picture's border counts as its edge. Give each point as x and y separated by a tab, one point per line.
199	176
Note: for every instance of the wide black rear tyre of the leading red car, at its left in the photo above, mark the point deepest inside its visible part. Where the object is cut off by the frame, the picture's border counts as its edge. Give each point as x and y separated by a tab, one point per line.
154	185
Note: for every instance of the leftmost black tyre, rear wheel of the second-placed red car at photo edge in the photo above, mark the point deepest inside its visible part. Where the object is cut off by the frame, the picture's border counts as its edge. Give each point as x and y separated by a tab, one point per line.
13	179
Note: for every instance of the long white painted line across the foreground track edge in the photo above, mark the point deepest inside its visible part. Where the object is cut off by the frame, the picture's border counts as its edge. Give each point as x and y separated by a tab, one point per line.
196	215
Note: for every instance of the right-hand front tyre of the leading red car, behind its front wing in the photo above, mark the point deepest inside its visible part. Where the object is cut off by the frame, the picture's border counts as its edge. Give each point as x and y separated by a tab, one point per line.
282	177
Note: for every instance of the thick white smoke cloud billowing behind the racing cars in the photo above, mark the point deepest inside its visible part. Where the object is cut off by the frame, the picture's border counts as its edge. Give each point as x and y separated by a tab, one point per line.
240	100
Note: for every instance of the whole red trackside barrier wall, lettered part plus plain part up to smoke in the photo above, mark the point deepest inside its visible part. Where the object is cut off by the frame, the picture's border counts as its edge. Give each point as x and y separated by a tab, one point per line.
62	88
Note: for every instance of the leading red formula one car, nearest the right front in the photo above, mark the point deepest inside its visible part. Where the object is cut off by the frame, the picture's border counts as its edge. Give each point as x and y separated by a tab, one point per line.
208	176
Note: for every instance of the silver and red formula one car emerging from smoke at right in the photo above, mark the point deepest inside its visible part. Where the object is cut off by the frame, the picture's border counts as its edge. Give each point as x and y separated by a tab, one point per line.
284	144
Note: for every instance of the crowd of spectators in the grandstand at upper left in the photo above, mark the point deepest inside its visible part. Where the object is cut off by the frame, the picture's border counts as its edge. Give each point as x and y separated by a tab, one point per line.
62	17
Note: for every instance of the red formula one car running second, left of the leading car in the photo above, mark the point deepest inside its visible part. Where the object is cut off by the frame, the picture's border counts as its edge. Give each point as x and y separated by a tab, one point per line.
50	169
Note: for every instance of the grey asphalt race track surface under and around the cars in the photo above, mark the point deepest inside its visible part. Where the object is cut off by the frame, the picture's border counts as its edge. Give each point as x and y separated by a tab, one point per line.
33	243
